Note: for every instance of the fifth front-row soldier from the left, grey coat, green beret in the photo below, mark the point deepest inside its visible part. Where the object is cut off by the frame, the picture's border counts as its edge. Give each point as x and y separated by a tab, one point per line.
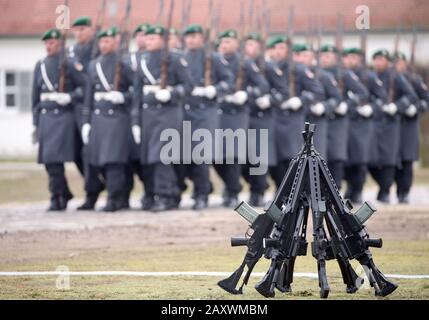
234	112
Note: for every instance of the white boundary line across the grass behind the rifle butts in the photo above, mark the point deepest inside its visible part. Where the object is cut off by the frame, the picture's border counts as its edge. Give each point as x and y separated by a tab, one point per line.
169	274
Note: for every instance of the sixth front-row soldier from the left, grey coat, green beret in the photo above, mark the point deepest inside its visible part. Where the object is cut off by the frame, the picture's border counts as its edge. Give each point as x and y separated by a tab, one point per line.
262	117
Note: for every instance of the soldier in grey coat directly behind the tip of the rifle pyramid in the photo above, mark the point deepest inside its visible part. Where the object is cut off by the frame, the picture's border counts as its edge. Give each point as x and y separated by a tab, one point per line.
319	112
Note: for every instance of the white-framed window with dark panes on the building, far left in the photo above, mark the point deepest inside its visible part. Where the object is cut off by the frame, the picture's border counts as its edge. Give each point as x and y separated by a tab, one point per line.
15	90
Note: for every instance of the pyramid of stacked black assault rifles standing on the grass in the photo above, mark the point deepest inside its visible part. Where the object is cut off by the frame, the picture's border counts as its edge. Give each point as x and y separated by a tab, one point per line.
280	232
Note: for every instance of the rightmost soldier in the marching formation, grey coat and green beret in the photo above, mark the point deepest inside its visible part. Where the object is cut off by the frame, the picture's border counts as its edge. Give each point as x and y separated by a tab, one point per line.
409	141
